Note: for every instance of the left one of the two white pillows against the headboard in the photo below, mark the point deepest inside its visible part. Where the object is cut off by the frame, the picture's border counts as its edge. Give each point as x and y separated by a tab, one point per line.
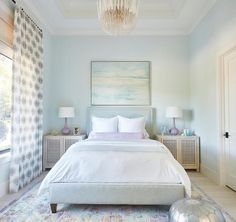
104	125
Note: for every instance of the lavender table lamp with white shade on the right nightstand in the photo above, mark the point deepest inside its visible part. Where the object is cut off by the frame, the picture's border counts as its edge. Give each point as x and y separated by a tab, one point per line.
174	112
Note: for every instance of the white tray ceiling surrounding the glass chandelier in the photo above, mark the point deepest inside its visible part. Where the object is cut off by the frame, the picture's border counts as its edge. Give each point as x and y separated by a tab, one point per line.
156	17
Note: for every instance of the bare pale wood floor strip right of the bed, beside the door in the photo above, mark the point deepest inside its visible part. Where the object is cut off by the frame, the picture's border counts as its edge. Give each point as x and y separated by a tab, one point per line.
223	196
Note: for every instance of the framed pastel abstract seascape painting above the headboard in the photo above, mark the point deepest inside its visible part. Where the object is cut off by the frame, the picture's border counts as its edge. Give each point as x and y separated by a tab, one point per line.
118	83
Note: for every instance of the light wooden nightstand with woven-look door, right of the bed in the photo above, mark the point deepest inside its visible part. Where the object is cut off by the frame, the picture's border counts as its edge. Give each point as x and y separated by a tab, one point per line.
185	149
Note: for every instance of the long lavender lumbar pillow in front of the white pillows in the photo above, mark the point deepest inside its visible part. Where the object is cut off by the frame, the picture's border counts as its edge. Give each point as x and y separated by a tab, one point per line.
116	136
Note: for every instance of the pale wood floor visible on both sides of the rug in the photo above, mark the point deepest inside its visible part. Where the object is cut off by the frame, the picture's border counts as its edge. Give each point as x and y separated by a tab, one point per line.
223	196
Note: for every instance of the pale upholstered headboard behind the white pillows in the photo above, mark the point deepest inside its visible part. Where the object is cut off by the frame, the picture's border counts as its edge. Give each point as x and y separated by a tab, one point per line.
126	111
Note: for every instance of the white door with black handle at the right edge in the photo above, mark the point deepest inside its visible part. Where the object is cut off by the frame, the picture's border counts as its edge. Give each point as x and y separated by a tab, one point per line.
229	63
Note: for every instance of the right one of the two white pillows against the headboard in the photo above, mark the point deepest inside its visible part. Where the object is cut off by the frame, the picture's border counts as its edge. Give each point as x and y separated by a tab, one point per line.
127	125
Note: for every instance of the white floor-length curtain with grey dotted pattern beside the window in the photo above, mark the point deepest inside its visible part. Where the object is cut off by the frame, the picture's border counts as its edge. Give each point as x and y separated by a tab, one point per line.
26	152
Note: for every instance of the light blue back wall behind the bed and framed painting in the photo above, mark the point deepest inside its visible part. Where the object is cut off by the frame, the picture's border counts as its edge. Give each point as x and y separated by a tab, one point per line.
67	81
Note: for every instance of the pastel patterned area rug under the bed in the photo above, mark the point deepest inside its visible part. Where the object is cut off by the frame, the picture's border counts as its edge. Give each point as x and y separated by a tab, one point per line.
32	208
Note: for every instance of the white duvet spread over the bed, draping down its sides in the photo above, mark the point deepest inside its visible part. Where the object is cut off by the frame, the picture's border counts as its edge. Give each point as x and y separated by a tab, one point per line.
136	161
